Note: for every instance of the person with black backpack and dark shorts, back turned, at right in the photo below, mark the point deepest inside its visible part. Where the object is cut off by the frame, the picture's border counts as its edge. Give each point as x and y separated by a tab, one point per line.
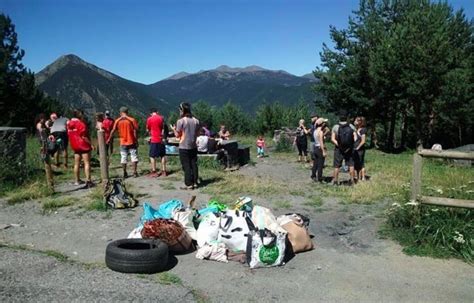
343	136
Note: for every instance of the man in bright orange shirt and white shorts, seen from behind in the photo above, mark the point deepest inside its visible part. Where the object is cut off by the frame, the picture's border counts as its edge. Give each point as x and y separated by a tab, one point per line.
128	133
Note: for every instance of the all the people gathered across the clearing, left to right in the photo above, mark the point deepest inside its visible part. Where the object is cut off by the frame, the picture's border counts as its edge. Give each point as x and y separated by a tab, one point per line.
57	132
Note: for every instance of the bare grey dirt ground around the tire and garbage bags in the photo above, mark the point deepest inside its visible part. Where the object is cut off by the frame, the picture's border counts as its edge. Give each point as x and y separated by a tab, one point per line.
350	262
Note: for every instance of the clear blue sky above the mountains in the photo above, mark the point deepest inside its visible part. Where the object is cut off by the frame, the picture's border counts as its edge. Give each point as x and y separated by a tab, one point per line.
147	41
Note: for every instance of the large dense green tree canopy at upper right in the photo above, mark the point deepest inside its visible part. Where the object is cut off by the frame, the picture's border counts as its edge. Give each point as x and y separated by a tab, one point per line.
406	65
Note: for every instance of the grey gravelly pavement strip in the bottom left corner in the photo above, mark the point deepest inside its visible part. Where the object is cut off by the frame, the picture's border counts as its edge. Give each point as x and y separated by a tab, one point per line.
27	276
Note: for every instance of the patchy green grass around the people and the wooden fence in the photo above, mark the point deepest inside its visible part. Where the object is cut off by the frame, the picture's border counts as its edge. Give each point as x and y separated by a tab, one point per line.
423	230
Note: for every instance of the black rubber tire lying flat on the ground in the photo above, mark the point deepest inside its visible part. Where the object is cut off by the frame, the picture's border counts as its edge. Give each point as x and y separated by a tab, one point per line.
142	259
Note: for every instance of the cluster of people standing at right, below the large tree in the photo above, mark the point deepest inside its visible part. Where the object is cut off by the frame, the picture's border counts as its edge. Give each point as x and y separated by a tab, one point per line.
349	146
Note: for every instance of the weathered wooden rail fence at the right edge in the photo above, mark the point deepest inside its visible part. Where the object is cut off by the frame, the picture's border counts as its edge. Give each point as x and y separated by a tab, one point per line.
417	171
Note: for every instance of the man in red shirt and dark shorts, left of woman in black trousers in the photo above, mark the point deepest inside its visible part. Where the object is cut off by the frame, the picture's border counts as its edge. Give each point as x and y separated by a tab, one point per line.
155	126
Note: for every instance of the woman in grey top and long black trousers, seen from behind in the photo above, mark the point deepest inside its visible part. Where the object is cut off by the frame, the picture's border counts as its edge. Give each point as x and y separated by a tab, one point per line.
186	130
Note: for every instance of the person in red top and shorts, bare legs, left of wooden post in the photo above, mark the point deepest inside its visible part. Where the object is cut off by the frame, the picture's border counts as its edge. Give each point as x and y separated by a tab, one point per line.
81	145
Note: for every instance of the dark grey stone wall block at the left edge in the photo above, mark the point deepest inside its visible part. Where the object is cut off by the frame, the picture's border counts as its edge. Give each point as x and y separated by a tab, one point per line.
12	154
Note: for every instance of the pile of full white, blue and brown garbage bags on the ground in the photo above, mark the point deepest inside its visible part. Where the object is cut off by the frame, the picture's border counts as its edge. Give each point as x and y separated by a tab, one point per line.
243	232
